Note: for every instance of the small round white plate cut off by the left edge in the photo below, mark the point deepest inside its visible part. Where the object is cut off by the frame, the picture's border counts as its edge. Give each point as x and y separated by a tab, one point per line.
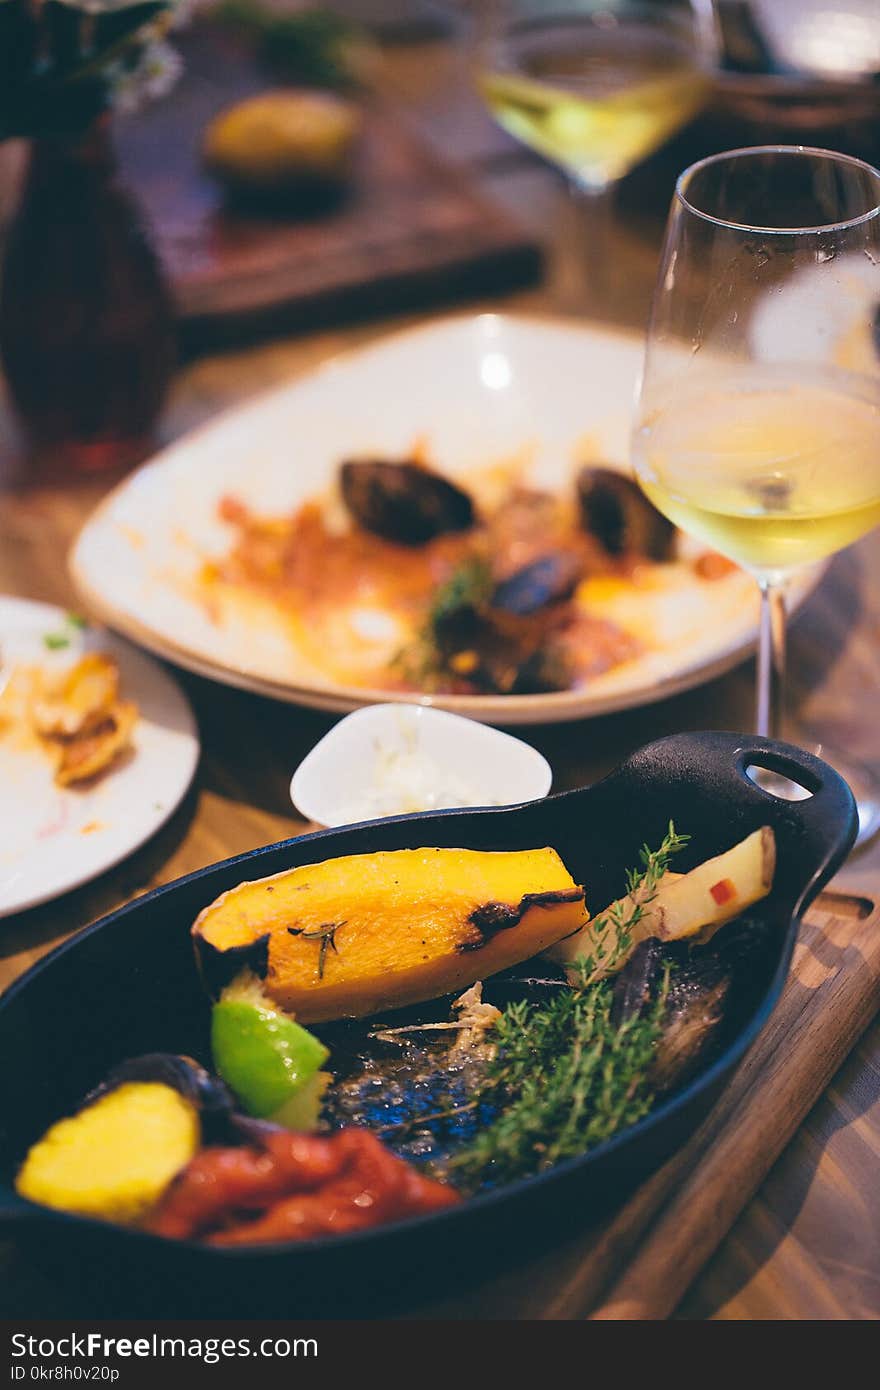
56	839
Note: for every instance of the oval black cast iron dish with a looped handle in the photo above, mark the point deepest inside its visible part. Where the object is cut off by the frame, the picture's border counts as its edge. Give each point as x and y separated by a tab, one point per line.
129	985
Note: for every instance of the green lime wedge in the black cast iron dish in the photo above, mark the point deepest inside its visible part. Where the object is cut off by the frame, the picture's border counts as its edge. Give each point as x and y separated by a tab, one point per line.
262	1056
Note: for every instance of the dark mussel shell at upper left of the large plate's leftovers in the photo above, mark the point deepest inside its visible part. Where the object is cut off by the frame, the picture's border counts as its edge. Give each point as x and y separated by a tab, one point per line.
404	502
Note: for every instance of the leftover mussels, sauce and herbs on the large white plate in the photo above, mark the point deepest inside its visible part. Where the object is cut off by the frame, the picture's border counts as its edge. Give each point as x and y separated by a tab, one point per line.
407	580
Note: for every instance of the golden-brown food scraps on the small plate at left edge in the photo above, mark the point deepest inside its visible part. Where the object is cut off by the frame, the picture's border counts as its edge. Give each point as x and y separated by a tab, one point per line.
74	714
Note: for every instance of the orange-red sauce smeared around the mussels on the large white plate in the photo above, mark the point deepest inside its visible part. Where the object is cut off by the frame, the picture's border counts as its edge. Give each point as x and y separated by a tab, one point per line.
316	576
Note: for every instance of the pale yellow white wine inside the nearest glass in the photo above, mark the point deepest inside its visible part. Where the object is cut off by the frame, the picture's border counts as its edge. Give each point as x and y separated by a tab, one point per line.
775	468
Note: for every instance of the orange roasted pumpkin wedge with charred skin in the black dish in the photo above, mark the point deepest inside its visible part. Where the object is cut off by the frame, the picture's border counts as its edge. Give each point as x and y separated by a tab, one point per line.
364	933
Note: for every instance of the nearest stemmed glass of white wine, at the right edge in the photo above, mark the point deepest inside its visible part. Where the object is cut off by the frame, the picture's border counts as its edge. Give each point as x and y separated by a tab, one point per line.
758	427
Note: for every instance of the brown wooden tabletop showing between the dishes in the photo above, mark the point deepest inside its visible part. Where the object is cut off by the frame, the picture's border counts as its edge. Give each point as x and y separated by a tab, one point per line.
808	1246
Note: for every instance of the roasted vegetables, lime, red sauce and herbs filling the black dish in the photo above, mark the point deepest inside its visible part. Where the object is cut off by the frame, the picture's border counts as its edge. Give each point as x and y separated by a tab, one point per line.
329	1113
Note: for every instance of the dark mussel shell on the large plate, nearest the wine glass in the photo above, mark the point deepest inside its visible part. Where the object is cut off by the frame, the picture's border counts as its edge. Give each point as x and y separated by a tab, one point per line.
621	516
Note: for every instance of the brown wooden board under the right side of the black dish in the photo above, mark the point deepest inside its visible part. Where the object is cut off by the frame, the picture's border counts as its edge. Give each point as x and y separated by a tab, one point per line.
643	1261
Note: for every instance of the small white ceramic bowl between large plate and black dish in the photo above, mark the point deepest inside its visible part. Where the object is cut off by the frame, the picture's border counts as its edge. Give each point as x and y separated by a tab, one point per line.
429	758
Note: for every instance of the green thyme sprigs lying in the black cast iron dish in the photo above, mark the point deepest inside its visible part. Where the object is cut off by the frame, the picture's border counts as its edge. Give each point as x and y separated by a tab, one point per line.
565	1077
